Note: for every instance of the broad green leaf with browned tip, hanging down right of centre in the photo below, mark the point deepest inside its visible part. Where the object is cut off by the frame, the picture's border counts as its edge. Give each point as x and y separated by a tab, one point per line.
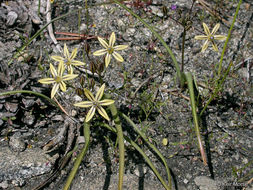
195	117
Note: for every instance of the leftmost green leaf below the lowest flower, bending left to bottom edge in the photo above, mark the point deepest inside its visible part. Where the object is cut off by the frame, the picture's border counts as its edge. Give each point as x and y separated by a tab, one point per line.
80	156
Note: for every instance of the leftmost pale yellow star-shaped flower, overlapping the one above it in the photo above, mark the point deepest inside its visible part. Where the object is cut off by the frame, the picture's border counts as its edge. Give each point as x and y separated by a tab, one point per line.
57	78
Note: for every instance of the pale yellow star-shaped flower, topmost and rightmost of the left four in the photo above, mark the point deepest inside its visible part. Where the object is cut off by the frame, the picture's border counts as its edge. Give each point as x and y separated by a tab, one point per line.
110	50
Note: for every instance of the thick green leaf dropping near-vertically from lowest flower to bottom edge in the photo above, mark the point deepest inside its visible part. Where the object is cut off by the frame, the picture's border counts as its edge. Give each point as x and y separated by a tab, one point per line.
120	141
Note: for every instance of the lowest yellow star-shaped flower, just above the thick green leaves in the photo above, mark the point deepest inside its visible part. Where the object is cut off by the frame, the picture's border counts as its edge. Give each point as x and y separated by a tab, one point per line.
95	103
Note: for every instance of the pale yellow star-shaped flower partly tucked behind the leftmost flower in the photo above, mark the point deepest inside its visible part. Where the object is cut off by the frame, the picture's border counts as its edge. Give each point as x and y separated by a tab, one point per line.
68	59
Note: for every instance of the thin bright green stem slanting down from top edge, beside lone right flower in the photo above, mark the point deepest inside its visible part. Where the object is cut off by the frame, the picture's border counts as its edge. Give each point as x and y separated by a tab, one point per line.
228	38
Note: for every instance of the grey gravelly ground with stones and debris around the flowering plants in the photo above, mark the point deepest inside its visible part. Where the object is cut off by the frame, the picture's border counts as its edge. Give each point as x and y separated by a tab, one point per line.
35	135
